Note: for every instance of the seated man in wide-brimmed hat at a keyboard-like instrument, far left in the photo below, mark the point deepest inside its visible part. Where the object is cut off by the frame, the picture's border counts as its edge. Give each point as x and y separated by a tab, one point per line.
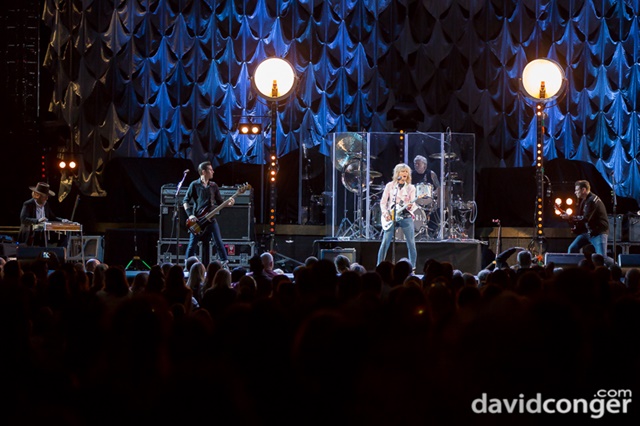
37	210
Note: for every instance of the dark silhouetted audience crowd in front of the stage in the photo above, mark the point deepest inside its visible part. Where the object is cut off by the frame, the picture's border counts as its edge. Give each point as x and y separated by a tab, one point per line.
83	345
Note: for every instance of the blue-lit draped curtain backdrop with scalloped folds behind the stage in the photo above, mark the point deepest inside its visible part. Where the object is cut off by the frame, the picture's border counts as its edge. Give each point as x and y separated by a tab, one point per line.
152	78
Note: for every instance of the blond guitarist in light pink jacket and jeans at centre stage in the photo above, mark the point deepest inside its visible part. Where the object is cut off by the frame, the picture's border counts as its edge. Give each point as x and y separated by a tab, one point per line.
398	205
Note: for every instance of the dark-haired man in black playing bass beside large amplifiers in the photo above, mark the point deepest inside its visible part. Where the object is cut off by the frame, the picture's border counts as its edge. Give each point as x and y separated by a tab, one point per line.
205	194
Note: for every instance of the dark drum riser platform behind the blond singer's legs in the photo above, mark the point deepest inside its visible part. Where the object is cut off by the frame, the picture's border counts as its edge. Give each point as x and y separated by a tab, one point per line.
465	255
